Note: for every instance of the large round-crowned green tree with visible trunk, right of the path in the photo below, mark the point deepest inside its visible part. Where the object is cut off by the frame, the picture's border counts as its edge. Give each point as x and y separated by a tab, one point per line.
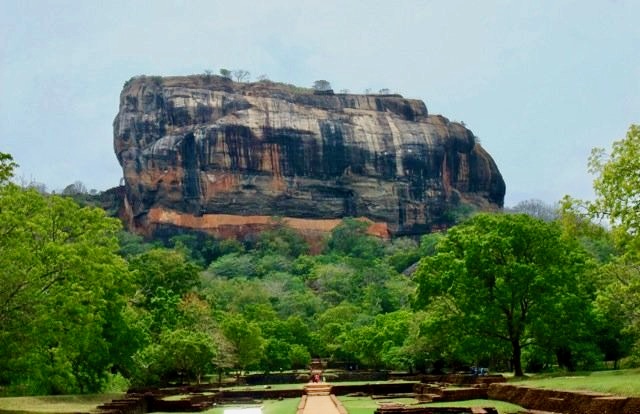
507	278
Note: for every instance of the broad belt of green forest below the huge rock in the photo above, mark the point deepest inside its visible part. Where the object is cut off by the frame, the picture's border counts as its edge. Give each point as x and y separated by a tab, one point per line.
87	307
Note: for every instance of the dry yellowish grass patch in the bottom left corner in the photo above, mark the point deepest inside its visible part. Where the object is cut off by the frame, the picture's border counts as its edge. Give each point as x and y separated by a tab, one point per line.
55	403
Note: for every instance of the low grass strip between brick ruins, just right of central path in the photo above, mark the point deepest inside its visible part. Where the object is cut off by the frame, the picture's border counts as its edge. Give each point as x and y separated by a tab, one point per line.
365	405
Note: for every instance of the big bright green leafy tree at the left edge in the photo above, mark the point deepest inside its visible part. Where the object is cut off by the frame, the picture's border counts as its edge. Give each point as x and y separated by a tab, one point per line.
63	292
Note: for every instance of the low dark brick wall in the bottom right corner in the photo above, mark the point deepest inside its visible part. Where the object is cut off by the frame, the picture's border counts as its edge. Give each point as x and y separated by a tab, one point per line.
565	402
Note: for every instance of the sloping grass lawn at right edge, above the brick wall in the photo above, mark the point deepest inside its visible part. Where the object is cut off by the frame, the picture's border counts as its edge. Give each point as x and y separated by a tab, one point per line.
625	382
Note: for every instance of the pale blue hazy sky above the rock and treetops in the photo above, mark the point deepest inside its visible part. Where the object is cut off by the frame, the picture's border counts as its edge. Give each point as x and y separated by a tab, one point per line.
540	83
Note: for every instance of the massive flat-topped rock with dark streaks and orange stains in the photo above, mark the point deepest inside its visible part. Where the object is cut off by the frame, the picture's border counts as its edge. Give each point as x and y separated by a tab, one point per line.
207	153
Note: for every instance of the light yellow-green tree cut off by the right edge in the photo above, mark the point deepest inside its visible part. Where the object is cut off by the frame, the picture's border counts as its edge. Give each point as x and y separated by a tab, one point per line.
617	189
